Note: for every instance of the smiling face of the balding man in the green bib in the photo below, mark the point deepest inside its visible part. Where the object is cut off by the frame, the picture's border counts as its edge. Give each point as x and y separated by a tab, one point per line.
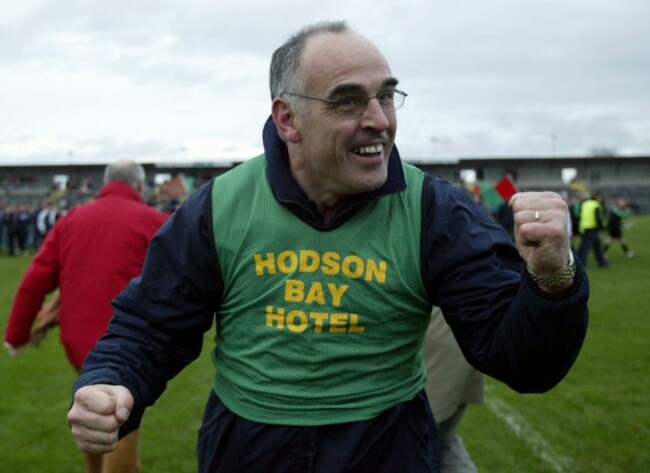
339	155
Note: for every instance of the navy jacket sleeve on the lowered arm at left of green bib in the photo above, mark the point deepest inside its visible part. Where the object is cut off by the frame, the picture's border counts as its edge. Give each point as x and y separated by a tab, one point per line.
160	318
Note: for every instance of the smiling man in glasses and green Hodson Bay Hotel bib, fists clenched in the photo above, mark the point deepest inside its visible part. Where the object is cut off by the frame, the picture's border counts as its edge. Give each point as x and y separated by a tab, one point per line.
320	261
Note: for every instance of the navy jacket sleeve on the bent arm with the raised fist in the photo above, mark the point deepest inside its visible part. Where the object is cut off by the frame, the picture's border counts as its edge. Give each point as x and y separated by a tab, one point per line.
505	326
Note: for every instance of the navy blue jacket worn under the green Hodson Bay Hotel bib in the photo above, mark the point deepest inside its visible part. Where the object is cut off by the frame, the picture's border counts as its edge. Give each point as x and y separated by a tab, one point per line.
506	327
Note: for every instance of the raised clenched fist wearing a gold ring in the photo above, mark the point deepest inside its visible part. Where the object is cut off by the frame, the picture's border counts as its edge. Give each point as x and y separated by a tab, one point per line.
541	232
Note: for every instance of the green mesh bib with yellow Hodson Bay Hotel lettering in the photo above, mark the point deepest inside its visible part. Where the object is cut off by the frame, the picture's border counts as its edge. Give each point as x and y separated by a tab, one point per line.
317	327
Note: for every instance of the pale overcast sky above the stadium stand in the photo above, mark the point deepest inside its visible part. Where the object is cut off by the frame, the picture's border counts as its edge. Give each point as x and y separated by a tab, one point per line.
187	80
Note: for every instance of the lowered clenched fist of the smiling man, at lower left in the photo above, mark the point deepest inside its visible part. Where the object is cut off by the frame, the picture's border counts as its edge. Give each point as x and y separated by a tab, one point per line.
96	415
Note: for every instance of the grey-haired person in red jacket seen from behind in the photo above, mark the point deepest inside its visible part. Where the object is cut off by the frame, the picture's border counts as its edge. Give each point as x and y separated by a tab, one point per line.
89	255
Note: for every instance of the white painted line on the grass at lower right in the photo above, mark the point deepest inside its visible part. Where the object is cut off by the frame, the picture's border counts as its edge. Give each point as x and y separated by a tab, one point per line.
526	433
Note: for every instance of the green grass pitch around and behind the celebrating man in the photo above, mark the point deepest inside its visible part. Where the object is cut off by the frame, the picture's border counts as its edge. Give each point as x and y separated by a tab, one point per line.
596	420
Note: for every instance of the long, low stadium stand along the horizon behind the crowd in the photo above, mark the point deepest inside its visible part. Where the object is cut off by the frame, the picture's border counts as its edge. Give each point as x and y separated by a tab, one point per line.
627	177
